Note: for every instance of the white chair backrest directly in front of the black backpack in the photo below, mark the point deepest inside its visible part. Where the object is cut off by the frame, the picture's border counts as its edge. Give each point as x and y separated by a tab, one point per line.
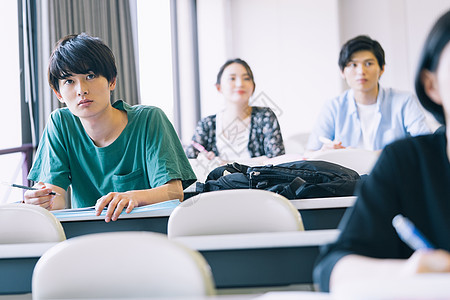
233	211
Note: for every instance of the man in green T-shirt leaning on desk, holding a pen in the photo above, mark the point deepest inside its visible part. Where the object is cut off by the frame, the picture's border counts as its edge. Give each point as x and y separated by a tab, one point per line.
113	155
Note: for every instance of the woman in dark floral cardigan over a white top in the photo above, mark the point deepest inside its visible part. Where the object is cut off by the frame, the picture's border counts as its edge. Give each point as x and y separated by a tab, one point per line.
239	131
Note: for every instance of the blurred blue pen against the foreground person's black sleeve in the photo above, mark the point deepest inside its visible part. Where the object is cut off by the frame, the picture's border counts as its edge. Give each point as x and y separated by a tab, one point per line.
410	234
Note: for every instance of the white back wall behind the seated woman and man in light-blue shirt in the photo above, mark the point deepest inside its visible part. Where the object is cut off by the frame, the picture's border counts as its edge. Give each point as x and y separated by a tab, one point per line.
293	47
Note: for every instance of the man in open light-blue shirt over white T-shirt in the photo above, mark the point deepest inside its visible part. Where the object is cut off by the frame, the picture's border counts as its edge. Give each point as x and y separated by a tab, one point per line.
367	115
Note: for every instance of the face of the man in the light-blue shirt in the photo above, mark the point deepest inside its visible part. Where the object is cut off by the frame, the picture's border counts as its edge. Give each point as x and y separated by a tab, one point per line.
362	72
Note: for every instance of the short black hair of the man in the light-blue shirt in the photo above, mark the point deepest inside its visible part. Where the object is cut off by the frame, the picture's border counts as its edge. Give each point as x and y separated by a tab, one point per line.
359	43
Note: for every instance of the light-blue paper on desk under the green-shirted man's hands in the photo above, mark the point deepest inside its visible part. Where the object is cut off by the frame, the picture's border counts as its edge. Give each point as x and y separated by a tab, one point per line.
90	211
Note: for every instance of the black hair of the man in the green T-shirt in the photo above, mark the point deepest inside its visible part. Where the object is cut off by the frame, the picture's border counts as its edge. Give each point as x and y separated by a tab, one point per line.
80	54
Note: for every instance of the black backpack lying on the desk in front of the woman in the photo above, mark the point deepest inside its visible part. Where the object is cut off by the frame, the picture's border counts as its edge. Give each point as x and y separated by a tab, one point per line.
293	180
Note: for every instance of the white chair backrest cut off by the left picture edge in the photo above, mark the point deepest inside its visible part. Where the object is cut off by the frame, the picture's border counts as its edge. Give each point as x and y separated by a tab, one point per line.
26	223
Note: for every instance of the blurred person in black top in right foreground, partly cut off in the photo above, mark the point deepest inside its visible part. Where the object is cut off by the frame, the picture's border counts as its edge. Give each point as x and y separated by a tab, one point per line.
411	178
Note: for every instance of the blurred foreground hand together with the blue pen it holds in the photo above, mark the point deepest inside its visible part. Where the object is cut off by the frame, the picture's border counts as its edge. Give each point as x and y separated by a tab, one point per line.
425	258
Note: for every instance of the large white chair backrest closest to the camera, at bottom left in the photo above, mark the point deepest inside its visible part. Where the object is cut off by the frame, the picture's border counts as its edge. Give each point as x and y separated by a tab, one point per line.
121	265
